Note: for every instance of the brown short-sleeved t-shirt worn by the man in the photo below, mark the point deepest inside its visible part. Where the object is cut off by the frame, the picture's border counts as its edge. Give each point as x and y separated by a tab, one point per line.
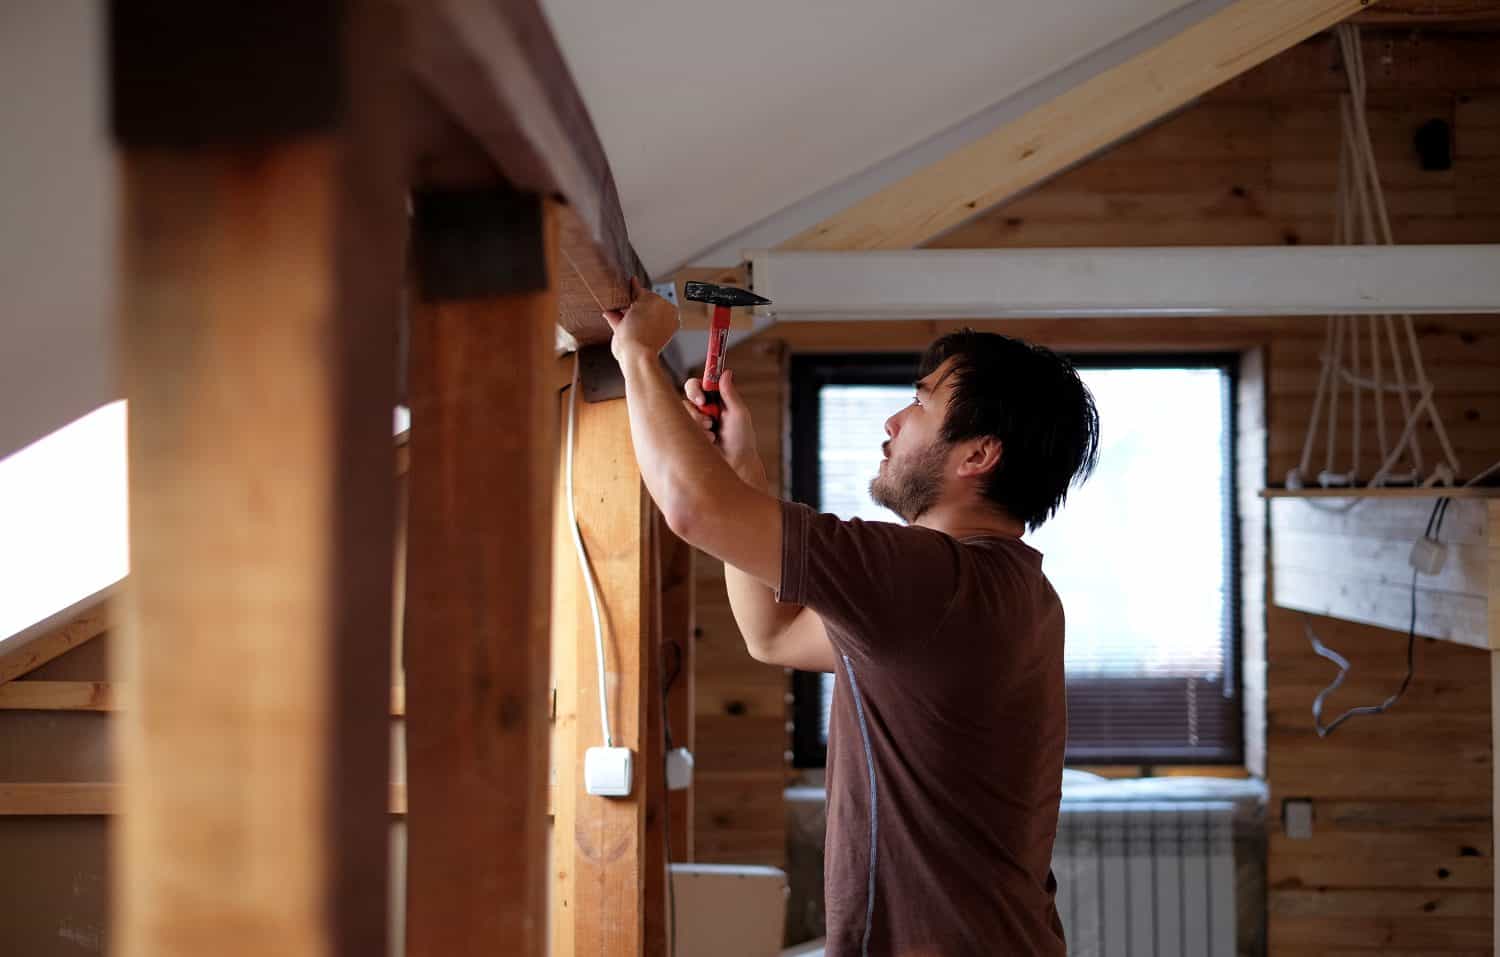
946	740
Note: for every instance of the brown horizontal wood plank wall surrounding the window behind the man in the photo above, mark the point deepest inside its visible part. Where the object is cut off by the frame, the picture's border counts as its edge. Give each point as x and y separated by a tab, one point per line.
1402	854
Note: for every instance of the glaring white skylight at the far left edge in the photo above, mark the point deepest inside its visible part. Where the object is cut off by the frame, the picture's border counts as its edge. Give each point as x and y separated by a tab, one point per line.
64	530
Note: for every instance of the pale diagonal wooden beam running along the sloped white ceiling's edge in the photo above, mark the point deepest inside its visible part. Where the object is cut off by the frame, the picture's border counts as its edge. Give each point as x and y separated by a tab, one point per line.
1075	127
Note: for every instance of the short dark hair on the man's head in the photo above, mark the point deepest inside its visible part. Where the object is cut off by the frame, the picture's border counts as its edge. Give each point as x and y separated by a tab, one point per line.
1034	403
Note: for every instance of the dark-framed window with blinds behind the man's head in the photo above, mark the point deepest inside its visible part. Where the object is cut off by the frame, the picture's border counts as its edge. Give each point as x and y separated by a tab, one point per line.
1144	556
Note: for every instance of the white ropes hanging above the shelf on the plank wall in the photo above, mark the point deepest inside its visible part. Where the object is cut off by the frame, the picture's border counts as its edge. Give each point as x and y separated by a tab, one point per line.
1361	218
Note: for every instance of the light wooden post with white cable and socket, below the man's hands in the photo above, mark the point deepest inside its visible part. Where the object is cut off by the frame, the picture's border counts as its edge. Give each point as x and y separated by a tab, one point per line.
601	844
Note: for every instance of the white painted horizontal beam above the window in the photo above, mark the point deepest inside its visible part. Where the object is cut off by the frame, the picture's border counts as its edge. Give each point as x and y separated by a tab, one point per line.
1247	281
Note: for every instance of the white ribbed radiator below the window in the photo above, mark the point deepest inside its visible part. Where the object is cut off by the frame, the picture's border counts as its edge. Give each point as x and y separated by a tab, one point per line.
1147	880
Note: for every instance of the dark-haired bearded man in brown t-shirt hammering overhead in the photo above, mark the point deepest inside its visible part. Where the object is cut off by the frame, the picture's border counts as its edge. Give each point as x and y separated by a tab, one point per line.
949	719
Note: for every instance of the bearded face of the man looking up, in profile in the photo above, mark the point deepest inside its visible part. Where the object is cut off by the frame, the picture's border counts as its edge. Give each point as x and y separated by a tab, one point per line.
911	478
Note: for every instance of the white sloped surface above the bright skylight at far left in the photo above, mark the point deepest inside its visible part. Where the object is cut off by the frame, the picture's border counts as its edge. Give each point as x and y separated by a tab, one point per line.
56	218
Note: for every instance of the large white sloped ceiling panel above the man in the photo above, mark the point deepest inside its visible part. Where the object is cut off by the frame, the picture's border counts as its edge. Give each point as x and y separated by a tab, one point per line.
718	113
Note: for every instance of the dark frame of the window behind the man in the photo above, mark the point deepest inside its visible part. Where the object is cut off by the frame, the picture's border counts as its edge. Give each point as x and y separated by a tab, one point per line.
809	373
